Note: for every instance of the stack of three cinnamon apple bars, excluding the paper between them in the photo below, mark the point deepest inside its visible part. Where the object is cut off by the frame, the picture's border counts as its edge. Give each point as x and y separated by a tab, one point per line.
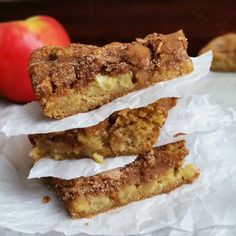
80	78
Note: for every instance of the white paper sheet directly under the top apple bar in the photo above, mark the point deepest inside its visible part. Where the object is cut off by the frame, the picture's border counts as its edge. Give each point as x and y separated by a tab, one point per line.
29	118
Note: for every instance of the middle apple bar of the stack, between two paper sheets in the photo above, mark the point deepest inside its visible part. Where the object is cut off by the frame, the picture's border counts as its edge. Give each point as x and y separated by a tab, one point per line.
126	132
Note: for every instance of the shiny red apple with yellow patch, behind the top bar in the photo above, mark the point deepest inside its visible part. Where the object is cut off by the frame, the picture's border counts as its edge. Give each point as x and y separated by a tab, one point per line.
17	40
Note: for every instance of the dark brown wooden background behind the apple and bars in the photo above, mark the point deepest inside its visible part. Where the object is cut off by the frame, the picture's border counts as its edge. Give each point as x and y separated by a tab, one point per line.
103	21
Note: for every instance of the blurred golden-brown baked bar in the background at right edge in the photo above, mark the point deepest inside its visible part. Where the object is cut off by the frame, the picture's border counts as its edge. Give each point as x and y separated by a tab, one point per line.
224	52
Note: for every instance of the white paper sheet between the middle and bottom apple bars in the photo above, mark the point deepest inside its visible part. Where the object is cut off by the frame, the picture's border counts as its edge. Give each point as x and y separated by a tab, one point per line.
191	114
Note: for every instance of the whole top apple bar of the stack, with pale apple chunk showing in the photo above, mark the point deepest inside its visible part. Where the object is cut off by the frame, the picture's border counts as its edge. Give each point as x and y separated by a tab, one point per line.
81	77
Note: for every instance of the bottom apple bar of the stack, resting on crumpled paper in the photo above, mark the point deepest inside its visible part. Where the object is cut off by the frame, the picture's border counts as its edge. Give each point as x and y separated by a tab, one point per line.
158	171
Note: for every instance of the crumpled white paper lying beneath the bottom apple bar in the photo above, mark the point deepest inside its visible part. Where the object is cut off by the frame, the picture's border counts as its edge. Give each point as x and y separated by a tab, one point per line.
209	202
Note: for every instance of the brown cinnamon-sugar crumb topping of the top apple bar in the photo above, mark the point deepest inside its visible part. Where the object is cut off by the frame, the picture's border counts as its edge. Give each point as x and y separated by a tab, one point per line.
55	69
